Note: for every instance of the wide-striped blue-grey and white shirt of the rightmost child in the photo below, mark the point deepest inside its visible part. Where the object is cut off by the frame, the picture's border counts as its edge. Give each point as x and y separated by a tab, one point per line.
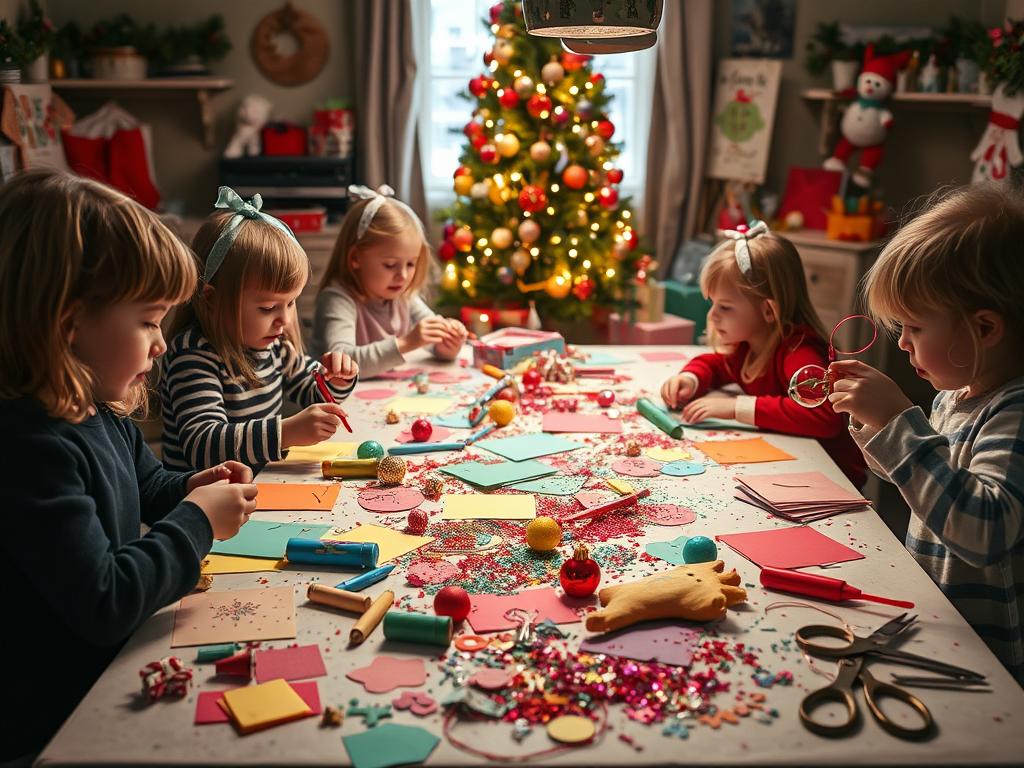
963	477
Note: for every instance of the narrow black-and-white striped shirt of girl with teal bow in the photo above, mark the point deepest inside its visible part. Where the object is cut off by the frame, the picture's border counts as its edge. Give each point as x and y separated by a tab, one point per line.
210	418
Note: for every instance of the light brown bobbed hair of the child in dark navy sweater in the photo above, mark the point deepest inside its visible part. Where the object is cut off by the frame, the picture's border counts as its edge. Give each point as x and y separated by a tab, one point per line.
67	243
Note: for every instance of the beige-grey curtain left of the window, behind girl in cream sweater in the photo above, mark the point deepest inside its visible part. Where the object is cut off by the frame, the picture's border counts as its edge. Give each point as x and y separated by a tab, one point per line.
387	100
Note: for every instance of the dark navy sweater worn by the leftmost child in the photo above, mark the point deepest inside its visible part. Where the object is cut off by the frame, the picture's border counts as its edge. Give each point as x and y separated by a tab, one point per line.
78	578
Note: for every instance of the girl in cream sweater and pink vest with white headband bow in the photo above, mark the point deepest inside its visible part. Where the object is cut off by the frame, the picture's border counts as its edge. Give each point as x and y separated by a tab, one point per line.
369	305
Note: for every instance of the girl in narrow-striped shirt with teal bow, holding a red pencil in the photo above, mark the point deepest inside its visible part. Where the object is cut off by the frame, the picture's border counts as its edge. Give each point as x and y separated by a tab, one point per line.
236	352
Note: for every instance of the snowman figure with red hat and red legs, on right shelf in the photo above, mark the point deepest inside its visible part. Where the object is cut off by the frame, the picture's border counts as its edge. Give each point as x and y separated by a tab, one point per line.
867	122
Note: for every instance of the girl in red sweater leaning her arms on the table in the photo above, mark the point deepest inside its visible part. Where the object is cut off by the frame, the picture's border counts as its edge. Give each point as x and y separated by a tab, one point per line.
764	329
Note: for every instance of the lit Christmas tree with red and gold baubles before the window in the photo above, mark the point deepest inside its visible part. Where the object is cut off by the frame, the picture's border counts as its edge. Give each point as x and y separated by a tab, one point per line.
538	215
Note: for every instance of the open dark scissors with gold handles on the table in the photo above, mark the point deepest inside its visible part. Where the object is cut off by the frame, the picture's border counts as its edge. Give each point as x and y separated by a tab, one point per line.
852	658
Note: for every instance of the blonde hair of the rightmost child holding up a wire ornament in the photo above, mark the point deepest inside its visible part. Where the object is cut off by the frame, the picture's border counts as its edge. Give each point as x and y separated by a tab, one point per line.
963	254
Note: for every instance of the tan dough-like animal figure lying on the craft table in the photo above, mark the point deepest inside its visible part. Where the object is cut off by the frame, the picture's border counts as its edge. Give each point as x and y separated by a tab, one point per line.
698	593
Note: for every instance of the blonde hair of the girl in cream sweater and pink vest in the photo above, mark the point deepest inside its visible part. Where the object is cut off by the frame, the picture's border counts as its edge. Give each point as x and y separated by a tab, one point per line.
390	222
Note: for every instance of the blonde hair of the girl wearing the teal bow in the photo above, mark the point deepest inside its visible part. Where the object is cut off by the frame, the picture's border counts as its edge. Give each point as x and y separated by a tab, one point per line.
262	259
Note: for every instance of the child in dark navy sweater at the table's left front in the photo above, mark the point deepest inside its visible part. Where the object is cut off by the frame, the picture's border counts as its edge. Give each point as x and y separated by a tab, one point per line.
87	277
